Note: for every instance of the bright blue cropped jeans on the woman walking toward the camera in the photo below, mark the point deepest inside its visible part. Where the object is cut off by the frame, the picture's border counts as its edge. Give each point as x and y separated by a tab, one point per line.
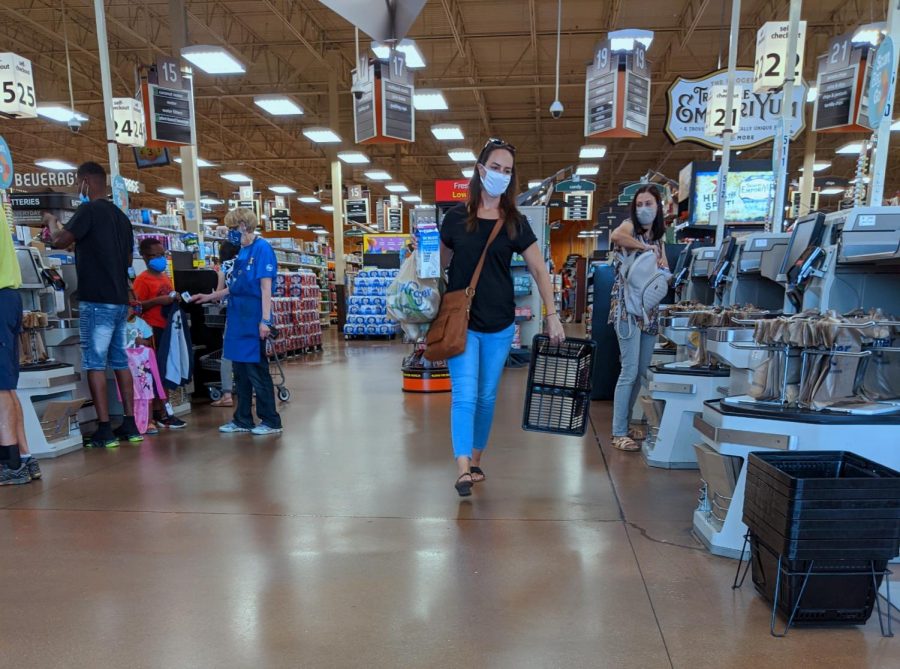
474	377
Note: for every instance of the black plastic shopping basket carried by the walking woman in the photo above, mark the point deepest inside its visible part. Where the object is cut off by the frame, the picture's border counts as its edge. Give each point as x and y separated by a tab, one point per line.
559	386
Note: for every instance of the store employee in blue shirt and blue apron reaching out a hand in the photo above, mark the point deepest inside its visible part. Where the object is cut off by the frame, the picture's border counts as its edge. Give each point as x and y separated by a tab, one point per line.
248	323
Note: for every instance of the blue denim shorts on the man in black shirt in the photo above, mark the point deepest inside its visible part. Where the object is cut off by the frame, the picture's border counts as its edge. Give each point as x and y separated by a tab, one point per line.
103	336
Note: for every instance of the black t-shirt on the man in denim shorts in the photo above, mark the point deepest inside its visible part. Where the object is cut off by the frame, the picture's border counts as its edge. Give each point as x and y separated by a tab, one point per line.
104	246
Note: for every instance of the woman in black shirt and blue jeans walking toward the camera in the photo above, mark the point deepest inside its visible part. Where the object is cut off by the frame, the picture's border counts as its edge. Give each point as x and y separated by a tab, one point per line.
475	374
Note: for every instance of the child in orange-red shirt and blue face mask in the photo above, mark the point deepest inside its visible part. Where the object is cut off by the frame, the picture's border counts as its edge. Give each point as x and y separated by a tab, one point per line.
154	290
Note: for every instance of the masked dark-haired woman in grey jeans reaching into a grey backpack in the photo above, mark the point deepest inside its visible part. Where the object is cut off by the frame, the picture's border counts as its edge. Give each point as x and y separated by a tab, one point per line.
643	232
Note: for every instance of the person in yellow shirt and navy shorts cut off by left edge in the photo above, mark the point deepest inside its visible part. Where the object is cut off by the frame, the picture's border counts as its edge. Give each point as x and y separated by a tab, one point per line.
16	465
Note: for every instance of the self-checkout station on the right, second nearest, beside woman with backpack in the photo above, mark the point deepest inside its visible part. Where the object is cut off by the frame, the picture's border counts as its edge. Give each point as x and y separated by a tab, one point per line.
678	390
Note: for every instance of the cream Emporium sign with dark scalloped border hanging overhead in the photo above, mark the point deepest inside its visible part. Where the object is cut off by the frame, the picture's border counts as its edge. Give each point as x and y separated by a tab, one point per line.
760	112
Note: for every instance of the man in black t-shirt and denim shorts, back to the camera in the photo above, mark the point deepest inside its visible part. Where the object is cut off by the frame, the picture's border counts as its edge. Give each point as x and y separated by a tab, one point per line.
103	251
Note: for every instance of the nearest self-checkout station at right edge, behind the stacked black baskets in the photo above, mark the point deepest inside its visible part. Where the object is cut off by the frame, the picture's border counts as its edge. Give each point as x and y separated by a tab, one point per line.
845	261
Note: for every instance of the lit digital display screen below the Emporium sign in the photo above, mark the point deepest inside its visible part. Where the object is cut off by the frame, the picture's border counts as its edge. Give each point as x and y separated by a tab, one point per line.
748	197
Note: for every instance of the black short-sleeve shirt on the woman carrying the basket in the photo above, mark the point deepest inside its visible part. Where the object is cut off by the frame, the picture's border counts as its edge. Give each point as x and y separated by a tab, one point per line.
494	306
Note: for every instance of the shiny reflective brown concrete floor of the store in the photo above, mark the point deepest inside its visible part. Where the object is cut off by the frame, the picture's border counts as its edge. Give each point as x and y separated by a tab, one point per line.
343	544
